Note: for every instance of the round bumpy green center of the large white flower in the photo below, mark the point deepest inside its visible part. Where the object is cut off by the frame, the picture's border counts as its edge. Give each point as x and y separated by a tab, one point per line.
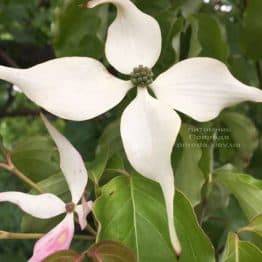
142	76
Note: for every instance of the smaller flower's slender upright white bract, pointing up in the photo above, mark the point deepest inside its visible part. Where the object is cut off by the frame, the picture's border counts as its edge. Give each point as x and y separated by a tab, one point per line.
71	163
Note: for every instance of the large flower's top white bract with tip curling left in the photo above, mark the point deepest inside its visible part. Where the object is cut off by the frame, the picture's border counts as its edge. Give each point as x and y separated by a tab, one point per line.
134	38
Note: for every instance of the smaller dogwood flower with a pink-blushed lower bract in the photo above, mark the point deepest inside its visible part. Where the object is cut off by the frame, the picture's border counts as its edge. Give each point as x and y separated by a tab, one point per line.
46	206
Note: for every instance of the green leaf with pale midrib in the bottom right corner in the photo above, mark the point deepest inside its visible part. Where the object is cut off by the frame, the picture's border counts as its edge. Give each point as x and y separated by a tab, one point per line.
240	251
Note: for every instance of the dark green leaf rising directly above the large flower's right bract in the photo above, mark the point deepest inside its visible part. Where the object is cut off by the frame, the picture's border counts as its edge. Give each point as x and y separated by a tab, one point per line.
208	37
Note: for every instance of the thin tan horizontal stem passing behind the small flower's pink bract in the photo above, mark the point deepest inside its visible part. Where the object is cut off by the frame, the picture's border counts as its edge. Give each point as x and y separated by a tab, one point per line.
11	235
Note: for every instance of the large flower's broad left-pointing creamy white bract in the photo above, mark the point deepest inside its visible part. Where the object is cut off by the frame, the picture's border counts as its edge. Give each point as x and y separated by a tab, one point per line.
75	88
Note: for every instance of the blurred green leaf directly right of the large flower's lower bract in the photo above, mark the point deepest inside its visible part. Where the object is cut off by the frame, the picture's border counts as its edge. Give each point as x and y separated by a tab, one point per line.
189	177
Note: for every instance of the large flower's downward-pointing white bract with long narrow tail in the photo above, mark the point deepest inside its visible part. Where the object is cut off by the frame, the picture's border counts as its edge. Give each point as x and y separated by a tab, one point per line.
149	130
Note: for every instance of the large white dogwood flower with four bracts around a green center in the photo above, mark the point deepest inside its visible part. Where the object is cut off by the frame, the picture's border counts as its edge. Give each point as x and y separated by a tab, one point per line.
79	88
